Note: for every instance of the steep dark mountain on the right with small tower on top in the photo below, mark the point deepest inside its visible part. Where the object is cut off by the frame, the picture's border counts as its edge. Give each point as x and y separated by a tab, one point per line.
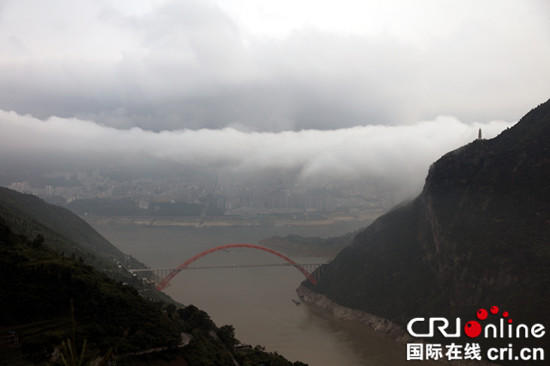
478	235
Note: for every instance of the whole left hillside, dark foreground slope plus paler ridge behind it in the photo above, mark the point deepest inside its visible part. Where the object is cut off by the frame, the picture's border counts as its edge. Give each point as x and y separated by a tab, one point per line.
56	309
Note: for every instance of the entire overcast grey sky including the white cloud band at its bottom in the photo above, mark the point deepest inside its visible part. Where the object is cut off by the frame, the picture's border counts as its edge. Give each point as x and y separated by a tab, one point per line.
299	74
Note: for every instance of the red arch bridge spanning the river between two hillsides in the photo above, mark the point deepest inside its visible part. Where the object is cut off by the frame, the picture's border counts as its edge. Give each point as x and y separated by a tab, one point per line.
167	274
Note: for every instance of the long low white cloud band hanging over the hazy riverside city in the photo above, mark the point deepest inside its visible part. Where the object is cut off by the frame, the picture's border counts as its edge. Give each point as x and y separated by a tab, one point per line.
400	155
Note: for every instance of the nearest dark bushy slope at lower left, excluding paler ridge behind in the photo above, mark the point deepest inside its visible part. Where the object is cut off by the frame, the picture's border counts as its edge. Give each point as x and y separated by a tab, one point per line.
39	286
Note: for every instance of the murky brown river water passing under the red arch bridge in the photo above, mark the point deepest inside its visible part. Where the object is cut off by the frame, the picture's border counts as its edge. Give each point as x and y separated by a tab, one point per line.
256	301
